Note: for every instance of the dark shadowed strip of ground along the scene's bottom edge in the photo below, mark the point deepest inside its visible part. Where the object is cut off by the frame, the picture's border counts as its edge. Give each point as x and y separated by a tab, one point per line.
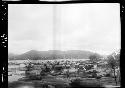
53	82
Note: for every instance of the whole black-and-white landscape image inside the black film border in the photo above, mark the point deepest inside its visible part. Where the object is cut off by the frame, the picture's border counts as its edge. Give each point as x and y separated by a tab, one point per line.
64	45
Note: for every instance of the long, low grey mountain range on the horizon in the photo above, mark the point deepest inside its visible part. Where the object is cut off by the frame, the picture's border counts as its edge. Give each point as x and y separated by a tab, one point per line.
51	54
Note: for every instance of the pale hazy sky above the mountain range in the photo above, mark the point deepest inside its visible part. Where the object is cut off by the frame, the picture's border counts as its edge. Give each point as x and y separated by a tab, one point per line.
94	27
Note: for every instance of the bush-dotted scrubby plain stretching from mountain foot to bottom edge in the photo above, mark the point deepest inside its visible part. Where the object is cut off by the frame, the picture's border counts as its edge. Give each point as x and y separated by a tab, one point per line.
58	73
